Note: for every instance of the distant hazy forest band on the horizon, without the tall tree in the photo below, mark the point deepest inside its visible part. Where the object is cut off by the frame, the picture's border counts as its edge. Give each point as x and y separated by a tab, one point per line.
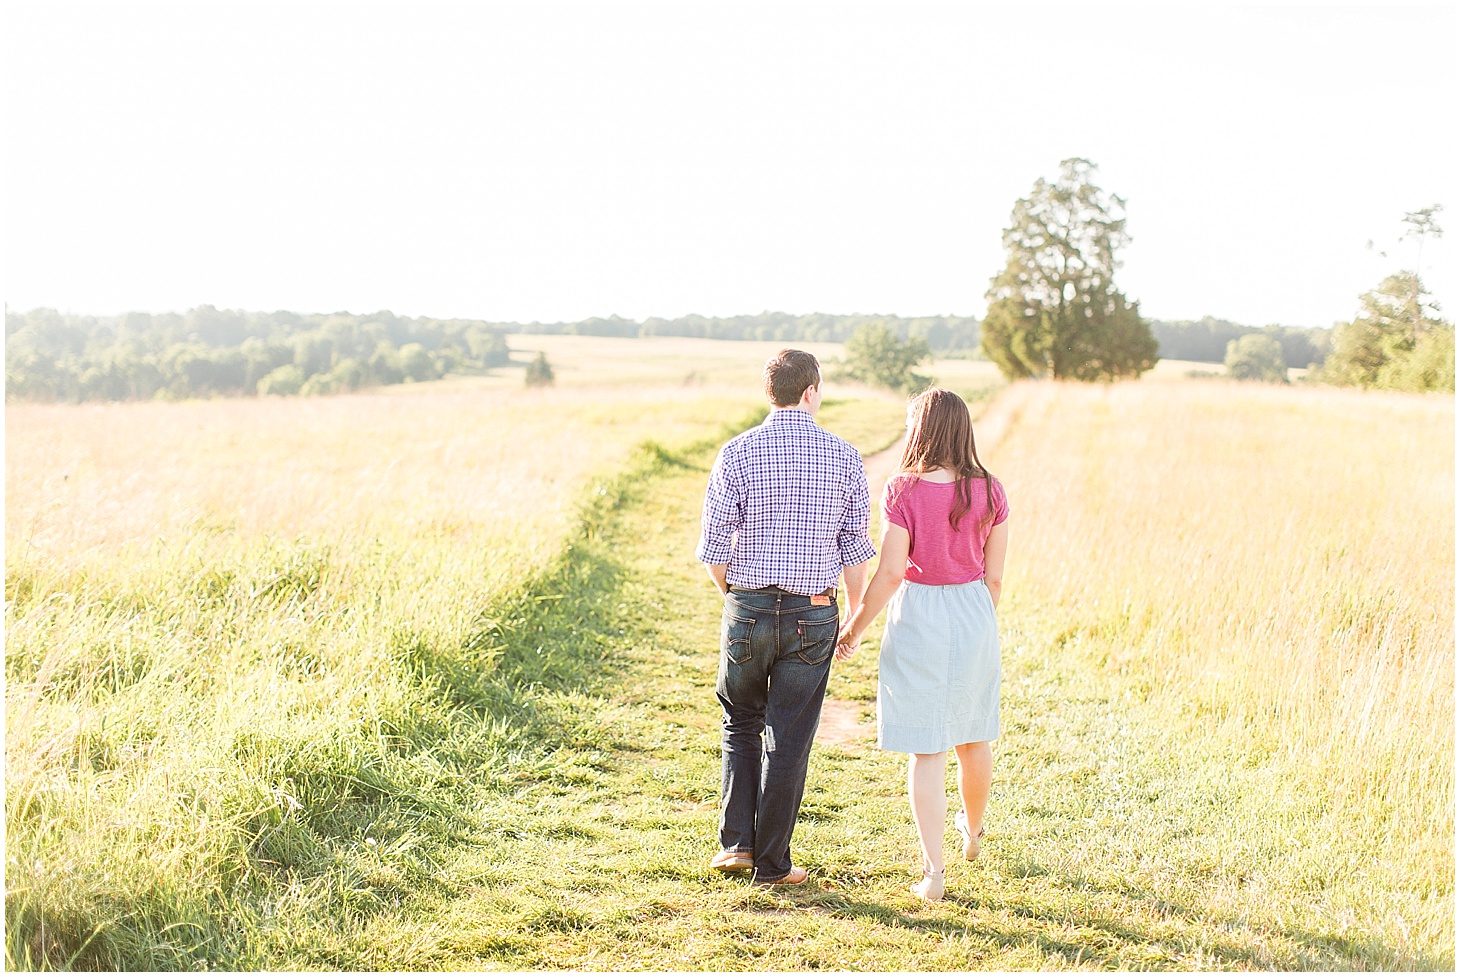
220	353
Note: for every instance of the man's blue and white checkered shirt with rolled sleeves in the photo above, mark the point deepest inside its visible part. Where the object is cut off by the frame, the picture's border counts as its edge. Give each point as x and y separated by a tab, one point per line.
786	507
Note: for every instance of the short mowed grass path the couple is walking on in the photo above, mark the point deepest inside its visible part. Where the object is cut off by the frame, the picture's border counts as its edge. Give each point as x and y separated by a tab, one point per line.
1122	838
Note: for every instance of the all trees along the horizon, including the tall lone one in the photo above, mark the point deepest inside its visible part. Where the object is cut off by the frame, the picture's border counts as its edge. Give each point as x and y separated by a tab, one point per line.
1053	312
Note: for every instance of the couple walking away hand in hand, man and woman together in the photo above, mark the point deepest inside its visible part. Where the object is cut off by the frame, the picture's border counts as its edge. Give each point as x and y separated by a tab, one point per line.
786	515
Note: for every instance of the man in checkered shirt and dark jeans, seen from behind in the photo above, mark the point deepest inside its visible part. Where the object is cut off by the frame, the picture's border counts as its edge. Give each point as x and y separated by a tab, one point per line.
786	515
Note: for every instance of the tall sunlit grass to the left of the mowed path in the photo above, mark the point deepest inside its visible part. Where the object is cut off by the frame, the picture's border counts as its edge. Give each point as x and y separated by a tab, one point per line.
226	618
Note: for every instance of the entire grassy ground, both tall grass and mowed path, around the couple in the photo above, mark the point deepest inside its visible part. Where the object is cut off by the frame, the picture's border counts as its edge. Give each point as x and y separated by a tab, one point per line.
382	683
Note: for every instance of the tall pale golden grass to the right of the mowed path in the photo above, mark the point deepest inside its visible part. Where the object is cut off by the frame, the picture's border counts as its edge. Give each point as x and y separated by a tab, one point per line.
1274	564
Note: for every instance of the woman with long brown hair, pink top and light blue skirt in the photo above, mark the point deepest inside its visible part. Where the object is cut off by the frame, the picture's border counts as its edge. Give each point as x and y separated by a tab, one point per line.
944	541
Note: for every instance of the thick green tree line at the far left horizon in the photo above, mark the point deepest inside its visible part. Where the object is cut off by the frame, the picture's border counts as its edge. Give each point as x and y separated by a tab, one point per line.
223	353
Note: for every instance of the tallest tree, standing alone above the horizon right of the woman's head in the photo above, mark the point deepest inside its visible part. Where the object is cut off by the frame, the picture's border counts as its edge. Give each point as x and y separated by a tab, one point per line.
1055	310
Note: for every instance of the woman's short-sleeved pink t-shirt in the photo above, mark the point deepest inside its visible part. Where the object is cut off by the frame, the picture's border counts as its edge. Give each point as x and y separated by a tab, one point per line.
940	554
